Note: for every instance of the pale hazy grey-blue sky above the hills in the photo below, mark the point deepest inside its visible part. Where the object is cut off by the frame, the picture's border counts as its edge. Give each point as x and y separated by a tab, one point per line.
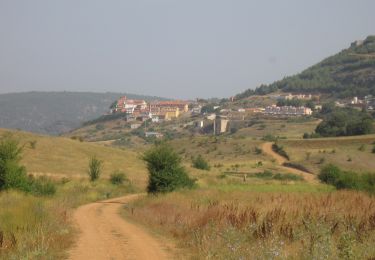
172	48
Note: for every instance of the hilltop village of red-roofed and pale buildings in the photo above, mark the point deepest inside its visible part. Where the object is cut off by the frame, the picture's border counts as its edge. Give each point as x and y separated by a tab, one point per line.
219	116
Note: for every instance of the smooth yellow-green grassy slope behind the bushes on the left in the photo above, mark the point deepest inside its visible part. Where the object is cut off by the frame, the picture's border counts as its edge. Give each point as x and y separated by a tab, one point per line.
66	157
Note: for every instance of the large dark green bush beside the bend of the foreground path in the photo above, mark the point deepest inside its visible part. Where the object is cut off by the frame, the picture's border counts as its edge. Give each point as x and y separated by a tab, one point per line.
166	173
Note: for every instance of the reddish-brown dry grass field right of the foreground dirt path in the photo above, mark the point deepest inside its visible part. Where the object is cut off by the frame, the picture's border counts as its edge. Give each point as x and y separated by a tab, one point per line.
253	225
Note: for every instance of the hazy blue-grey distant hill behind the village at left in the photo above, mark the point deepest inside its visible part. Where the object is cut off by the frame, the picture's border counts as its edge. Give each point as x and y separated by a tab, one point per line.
55	112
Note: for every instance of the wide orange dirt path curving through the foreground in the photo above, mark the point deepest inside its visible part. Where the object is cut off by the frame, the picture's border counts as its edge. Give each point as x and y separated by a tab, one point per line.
106	235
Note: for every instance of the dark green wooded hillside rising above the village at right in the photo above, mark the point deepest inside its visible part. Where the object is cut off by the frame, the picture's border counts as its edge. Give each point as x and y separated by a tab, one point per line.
349	73
